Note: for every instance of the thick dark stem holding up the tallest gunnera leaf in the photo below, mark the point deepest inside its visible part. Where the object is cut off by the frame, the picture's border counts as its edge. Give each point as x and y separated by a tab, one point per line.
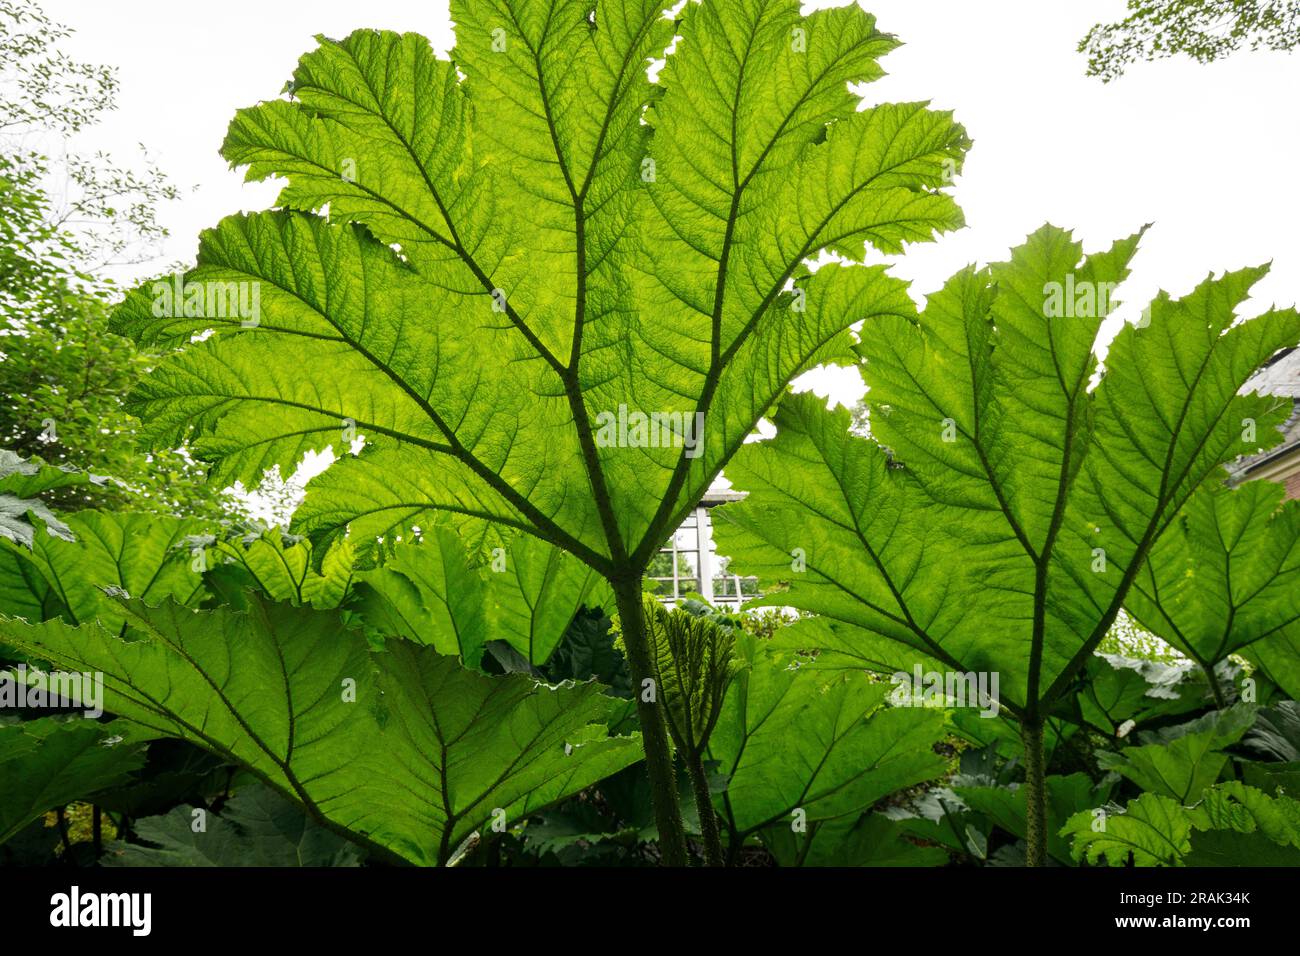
655	732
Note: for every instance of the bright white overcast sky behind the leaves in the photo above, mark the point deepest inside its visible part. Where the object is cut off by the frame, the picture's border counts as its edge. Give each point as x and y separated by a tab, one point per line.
1207	154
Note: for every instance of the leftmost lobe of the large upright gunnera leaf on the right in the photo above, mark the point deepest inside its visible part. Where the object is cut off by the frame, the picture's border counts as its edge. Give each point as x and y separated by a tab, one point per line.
864	516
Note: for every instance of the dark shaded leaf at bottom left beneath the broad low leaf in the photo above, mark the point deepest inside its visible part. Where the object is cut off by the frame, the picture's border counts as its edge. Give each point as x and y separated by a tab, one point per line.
257	828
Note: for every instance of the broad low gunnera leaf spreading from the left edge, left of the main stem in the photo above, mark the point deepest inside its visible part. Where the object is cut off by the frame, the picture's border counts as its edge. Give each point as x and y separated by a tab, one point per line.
404	751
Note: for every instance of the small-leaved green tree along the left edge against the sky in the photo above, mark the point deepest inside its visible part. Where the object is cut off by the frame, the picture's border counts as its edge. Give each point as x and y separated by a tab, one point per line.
63	375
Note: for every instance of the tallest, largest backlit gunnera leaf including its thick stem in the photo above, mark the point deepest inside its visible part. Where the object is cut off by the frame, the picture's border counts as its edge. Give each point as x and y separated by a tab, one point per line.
551	288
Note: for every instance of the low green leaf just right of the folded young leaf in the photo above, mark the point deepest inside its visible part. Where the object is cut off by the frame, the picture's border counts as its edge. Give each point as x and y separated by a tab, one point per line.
792	738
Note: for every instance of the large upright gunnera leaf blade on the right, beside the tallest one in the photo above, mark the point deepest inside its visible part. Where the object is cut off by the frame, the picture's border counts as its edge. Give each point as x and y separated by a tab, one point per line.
1012	488
